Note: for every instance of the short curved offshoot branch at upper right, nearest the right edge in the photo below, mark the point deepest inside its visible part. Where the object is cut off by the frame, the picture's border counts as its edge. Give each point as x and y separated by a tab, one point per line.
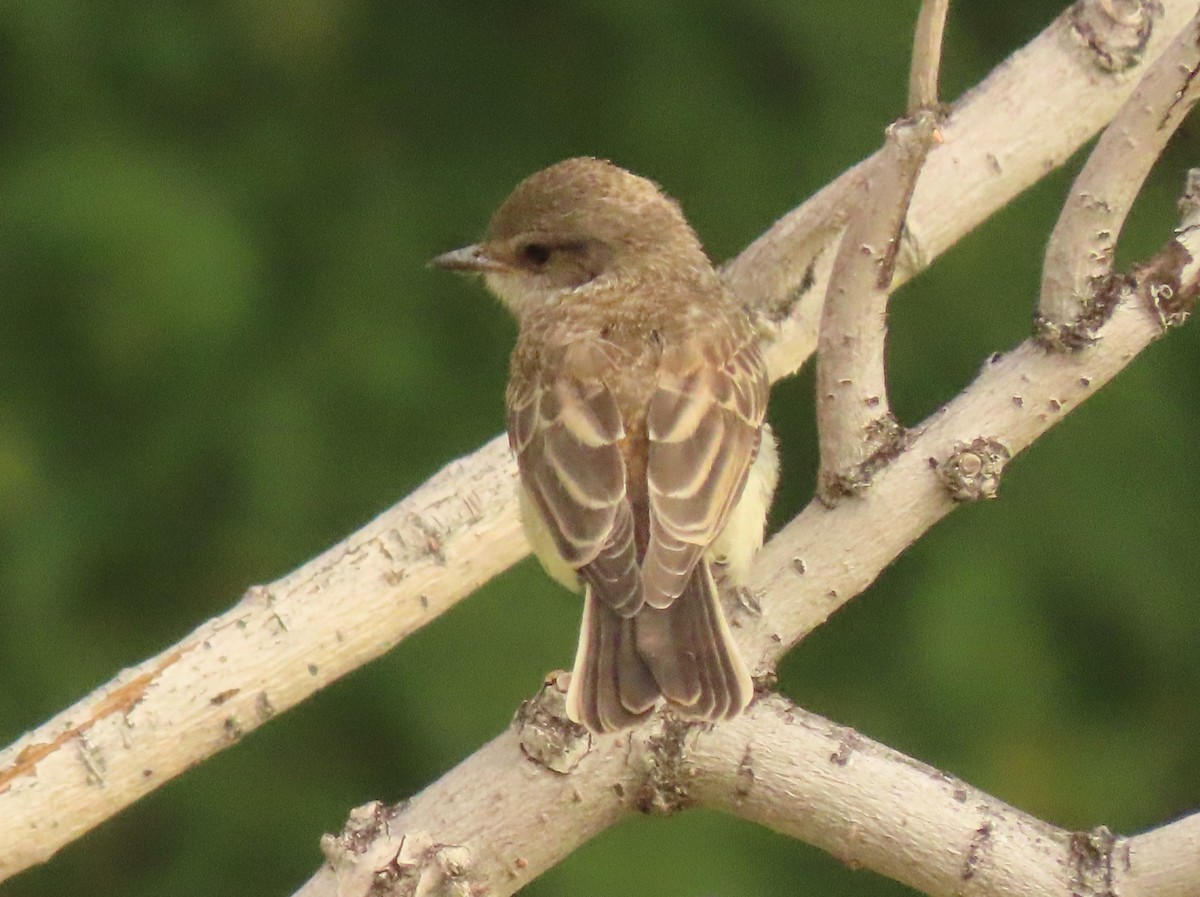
1082	248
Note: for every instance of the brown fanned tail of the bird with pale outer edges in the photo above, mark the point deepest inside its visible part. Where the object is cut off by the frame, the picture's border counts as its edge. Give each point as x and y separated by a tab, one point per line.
683	653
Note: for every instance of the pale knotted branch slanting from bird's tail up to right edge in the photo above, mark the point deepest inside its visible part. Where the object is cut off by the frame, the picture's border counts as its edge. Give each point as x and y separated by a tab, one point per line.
825	557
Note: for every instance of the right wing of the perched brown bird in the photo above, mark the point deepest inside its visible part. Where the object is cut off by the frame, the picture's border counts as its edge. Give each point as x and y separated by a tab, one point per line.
705	425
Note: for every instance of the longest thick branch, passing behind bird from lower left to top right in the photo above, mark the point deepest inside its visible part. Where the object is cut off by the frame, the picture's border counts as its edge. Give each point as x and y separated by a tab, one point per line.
285	641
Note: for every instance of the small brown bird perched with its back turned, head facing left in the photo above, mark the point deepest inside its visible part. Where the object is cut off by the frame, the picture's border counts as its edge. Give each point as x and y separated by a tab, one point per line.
635	410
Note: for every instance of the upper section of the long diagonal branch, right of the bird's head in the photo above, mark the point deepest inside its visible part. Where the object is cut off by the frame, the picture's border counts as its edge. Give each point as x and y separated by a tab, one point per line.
1024	121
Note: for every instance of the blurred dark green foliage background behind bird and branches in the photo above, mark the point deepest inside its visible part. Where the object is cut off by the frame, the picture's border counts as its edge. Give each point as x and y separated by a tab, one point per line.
220	353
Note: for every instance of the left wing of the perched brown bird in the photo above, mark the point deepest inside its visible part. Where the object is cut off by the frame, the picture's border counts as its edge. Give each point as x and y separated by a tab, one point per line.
566	429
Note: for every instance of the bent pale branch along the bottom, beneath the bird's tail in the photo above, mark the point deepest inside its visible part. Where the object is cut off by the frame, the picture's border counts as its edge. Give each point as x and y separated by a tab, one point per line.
502	818
